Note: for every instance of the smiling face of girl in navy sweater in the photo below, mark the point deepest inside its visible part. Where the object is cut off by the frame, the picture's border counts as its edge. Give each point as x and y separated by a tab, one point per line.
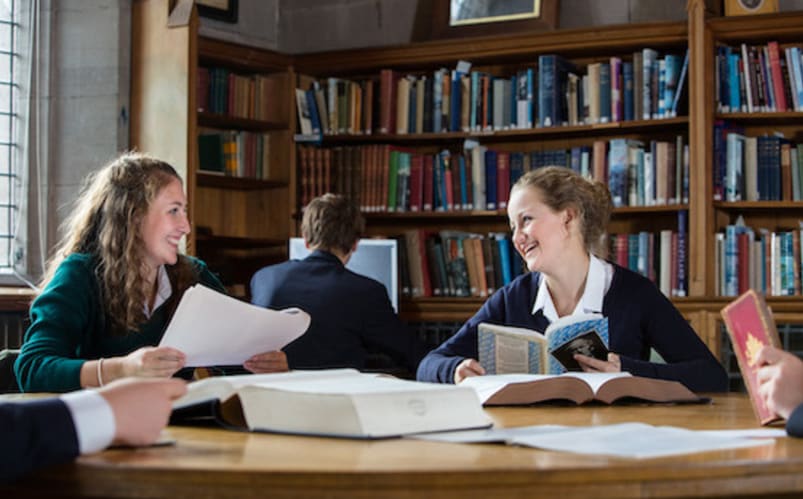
541	235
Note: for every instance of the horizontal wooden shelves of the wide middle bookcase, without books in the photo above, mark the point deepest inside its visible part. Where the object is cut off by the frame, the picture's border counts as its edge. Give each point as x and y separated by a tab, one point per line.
503	55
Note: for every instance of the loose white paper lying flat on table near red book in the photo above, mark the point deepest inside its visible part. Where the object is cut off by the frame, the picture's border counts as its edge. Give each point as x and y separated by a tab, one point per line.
634	440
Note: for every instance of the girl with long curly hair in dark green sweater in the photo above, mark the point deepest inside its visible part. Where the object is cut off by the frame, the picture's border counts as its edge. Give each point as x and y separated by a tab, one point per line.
114	282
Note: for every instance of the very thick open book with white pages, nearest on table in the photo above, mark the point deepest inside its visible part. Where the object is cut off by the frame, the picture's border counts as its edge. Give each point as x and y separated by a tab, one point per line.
330	402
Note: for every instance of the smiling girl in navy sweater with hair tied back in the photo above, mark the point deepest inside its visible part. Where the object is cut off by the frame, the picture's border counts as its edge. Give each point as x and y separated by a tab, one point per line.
558	219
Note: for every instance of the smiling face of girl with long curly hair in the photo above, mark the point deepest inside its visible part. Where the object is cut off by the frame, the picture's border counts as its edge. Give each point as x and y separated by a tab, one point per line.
164	225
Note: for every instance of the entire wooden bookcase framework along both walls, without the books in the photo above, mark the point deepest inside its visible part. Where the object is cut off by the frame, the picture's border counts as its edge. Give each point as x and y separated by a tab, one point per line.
250	221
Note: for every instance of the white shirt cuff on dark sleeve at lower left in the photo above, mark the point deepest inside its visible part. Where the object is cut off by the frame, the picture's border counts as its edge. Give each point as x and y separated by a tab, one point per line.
93	420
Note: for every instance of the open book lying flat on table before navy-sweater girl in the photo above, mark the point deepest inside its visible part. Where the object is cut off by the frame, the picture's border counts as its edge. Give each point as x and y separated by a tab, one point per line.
521	389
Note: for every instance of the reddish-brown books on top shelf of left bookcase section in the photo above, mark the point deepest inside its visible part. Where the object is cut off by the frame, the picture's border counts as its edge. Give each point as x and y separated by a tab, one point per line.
221	91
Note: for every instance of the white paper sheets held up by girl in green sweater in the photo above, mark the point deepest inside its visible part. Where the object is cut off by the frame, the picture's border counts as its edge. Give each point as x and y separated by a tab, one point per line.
214	329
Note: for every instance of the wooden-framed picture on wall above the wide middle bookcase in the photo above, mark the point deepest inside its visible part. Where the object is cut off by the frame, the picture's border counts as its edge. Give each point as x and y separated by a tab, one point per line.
460	18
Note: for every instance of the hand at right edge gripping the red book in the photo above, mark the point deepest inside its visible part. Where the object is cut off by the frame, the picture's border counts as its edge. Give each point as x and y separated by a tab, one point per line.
780	380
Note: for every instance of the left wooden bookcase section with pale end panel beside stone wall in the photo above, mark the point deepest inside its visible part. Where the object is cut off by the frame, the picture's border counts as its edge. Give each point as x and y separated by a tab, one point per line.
239	224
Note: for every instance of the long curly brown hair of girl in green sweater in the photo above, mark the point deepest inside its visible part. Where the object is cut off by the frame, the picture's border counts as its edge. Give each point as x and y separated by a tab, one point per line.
106	223
